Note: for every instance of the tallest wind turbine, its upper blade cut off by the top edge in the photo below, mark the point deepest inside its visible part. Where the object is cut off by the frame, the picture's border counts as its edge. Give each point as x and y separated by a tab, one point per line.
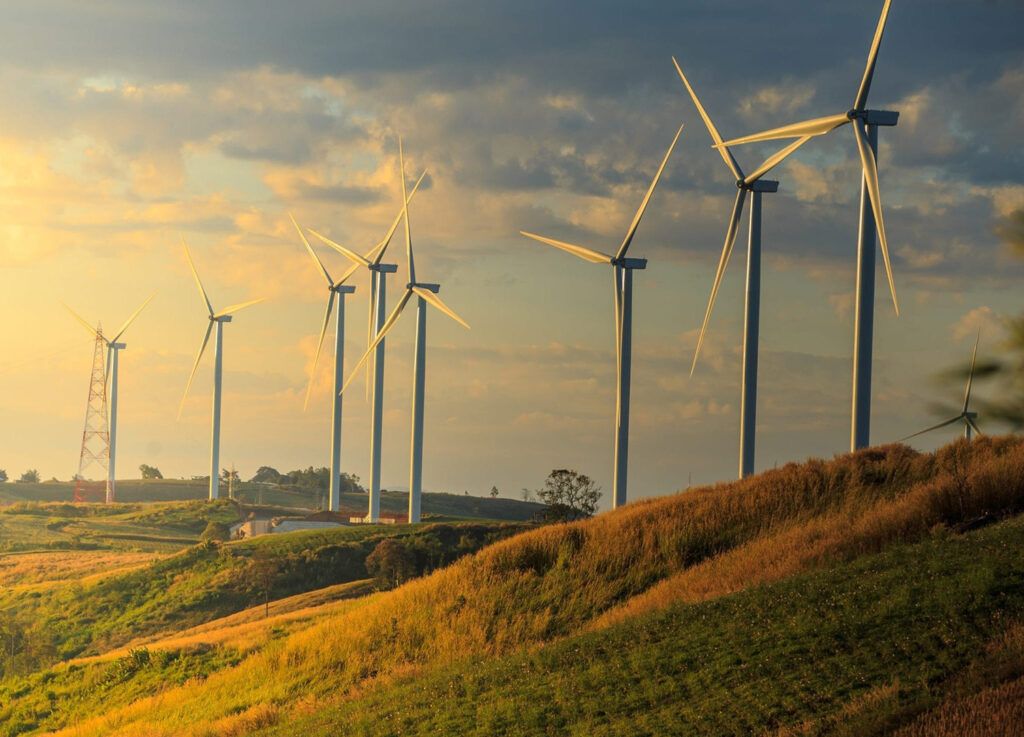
865	124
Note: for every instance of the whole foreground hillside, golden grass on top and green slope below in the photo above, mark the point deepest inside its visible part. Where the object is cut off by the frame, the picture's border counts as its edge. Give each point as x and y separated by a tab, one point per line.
876	591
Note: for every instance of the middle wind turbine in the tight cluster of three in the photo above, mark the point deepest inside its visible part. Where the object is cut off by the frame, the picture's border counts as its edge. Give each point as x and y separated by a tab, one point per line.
378	304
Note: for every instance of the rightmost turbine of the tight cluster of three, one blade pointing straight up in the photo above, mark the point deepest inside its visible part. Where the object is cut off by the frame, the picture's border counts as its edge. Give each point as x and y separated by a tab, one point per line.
426	294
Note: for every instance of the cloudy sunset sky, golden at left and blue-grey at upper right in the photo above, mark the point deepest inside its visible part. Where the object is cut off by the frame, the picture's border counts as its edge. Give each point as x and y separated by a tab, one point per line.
131	126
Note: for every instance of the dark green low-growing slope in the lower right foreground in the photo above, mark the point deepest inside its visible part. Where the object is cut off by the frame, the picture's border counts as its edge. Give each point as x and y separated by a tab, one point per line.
884	634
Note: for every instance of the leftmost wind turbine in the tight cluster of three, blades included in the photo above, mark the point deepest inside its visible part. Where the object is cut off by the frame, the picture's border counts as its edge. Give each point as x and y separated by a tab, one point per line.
337	290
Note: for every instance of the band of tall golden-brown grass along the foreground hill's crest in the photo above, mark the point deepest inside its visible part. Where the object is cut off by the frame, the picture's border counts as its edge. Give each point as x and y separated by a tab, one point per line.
557	581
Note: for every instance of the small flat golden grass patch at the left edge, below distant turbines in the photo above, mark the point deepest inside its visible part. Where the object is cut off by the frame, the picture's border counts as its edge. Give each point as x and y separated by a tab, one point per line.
42	569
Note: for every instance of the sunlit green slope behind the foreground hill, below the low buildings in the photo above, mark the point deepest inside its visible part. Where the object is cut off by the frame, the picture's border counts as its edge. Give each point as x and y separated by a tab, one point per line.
206	583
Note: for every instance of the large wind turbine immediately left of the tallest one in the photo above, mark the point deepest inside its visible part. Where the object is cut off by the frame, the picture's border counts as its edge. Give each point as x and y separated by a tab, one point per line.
755	186
